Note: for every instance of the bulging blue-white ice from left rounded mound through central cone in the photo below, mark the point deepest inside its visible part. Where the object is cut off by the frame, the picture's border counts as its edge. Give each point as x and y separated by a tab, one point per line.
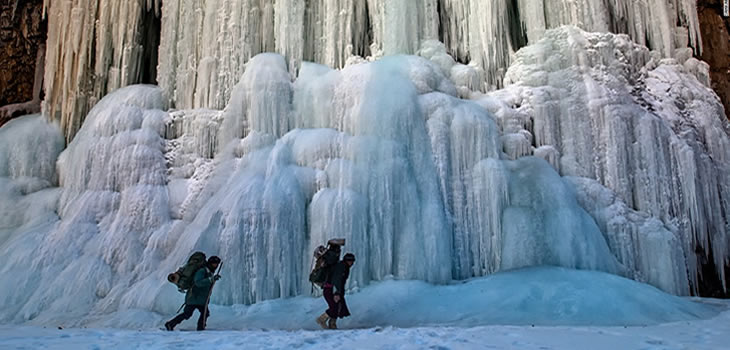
365	172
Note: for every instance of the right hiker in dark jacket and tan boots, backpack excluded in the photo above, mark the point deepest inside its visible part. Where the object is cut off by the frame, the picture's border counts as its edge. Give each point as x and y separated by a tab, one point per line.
334	293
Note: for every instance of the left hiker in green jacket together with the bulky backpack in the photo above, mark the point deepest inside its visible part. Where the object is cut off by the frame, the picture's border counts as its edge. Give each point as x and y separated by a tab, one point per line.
200	287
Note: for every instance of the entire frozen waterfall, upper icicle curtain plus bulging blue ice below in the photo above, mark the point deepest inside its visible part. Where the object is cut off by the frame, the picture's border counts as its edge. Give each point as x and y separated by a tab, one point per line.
597	154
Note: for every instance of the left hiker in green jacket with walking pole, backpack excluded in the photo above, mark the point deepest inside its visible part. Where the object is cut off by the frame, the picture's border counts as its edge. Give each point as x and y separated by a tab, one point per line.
197	296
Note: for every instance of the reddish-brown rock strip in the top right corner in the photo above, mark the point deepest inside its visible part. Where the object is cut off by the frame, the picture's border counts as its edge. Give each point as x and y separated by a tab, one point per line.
716	47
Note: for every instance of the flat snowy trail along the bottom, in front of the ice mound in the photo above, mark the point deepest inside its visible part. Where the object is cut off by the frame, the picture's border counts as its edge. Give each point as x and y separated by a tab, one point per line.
708	334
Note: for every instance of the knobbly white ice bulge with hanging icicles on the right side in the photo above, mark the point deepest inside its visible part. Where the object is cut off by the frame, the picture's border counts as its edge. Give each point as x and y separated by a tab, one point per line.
601	107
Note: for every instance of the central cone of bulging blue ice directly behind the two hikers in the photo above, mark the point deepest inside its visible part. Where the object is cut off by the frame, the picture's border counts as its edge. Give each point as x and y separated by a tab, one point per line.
360	165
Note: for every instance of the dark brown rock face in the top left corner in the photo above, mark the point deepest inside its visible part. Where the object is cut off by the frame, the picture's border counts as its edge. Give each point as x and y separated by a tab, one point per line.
22	35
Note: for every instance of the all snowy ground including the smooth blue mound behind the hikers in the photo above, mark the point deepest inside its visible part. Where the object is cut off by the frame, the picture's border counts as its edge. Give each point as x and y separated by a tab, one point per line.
534	308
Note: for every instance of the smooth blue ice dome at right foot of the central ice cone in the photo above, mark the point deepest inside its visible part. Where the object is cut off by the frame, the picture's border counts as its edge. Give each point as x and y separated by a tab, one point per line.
545	225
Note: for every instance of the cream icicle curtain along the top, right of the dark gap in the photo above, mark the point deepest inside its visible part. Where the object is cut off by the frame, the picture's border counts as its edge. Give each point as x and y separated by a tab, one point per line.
209	43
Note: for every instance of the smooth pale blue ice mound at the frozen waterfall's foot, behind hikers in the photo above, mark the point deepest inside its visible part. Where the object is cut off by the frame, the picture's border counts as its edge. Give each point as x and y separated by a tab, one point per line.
548	296
